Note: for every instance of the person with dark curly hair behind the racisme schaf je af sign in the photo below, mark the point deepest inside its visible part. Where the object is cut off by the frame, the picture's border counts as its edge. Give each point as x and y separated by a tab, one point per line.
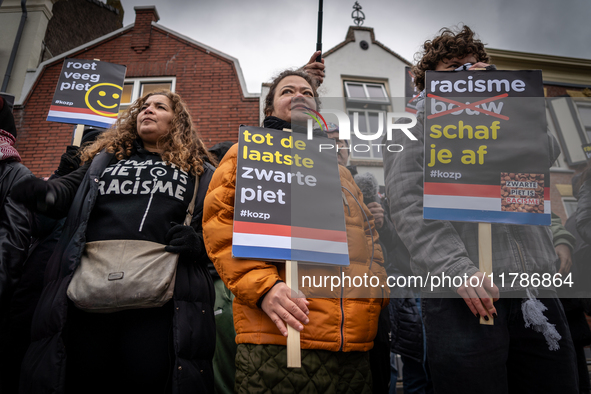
530	337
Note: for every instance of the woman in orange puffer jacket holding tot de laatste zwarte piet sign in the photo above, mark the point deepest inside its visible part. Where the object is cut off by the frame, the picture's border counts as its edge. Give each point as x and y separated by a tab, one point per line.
336	332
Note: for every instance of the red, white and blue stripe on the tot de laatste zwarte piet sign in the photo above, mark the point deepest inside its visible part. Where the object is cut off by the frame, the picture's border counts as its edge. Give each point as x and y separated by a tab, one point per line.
281	242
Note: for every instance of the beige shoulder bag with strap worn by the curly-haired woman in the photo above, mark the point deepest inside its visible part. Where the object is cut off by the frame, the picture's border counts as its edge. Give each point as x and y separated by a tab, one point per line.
115	275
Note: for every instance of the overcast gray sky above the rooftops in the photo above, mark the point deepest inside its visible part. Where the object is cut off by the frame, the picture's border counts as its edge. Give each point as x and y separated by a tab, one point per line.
267	36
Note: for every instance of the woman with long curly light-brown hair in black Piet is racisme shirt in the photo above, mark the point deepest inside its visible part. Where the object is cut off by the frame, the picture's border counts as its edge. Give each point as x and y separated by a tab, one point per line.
136	183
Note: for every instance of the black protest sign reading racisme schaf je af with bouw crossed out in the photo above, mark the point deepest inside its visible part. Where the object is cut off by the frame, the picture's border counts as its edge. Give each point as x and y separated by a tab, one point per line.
486	147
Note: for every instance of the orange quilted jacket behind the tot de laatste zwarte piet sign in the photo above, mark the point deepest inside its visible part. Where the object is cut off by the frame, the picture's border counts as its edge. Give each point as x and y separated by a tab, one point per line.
336	324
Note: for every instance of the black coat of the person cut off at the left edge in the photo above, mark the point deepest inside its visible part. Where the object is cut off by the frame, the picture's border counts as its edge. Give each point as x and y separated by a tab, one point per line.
15	231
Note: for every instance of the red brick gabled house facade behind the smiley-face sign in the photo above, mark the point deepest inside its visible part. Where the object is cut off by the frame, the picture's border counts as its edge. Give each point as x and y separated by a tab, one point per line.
209	81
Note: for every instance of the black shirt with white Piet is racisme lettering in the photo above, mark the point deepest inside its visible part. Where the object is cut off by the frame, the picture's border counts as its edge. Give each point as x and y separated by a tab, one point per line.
138	198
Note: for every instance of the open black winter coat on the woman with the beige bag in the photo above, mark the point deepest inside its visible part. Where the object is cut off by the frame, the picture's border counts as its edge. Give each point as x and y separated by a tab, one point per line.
44	366
